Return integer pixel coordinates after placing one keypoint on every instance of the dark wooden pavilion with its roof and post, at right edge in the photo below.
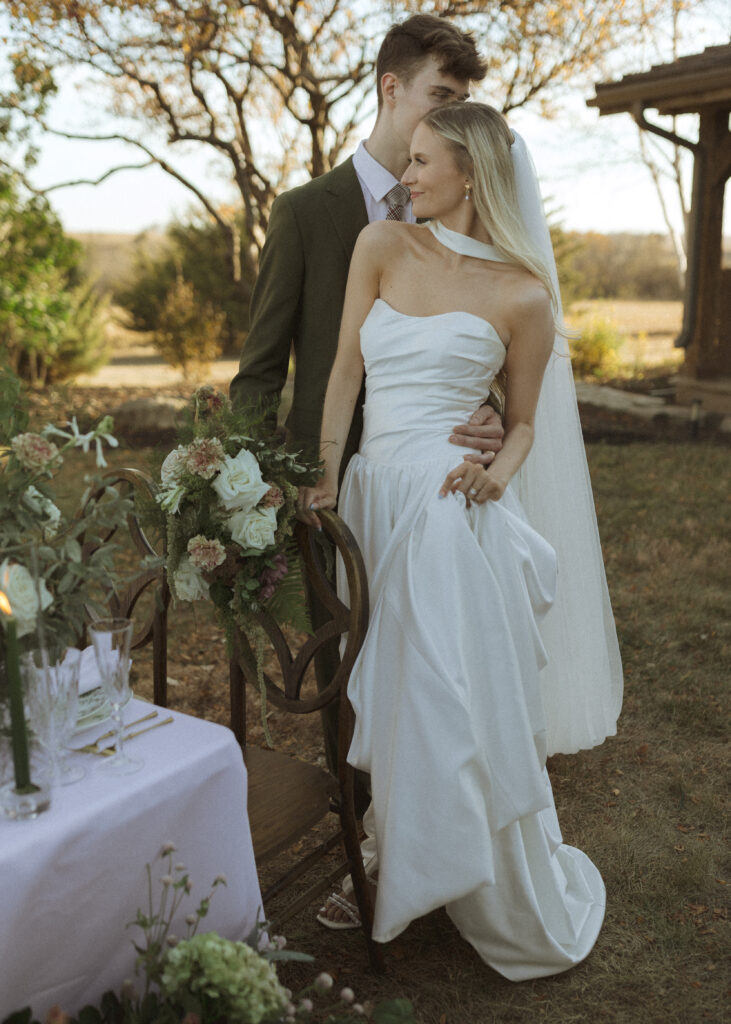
(698, 84)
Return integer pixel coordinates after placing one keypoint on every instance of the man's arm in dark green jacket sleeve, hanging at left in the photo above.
(274, 313)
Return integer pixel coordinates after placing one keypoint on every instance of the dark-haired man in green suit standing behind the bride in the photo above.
(298, 298)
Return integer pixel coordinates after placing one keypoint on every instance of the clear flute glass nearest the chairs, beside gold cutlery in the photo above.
(112, 638)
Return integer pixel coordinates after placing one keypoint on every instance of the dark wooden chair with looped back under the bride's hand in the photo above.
(287, 797)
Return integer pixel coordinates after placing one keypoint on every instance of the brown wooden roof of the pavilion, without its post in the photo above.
(681, 88)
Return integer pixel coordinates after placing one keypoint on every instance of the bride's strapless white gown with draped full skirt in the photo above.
(450, 721)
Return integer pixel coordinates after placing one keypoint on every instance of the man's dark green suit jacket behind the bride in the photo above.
(298, 303)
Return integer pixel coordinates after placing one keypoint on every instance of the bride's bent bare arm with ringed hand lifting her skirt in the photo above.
(532, 340)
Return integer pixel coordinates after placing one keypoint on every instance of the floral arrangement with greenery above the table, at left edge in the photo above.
(42, 572)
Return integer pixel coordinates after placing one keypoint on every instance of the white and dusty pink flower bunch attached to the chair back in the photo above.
(230, 500)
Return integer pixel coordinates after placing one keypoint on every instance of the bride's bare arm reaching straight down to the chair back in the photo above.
(347, 375)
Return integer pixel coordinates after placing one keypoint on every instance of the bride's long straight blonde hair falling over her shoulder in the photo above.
(481, 141)
